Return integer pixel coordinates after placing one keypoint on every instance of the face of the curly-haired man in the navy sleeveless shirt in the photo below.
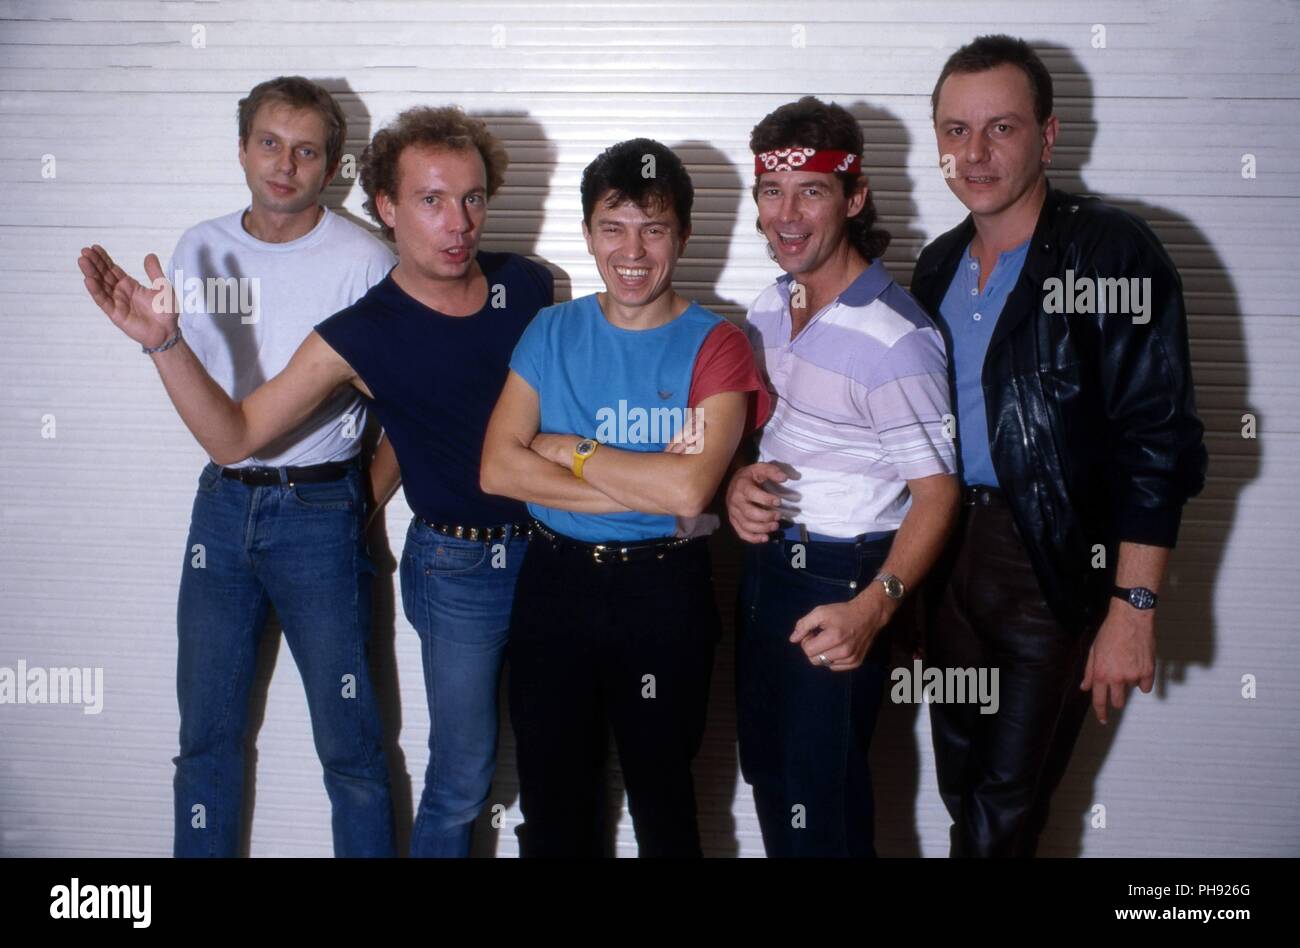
(439, 214)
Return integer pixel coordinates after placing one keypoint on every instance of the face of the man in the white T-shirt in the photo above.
(284, 159)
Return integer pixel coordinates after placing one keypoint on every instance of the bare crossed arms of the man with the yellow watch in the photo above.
(681, 481)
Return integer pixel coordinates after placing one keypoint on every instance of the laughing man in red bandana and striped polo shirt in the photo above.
(853, 494)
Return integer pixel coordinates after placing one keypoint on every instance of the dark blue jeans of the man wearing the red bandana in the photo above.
(805, 731)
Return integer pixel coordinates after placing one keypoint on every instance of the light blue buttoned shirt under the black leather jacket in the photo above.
(970, 317)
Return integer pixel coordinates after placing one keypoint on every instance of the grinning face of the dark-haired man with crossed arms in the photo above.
(636, 250)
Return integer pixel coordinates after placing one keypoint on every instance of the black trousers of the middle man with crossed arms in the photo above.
(623, 646)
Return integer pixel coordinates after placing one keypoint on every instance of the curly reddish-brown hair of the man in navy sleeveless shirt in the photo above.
(448, 128)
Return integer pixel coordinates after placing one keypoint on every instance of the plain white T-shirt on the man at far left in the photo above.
(248, 306)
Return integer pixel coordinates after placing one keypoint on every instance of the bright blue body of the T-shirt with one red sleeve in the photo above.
(621, 387)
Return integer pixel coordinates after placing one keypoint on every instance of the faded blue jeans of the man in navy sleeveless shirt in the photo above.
(458, 595)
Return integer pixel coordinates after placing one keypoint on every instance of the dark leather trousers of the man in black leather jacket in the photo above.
(998, 772)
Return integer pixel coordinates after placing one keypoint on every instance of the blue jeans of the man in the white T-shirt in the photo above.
(301, 549)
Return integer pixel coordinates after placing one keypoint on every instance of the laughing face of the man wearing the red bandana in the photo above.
(805, 217)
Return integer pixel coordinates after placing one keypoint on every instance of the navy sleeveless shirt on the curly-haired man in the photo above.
(436, 380)
